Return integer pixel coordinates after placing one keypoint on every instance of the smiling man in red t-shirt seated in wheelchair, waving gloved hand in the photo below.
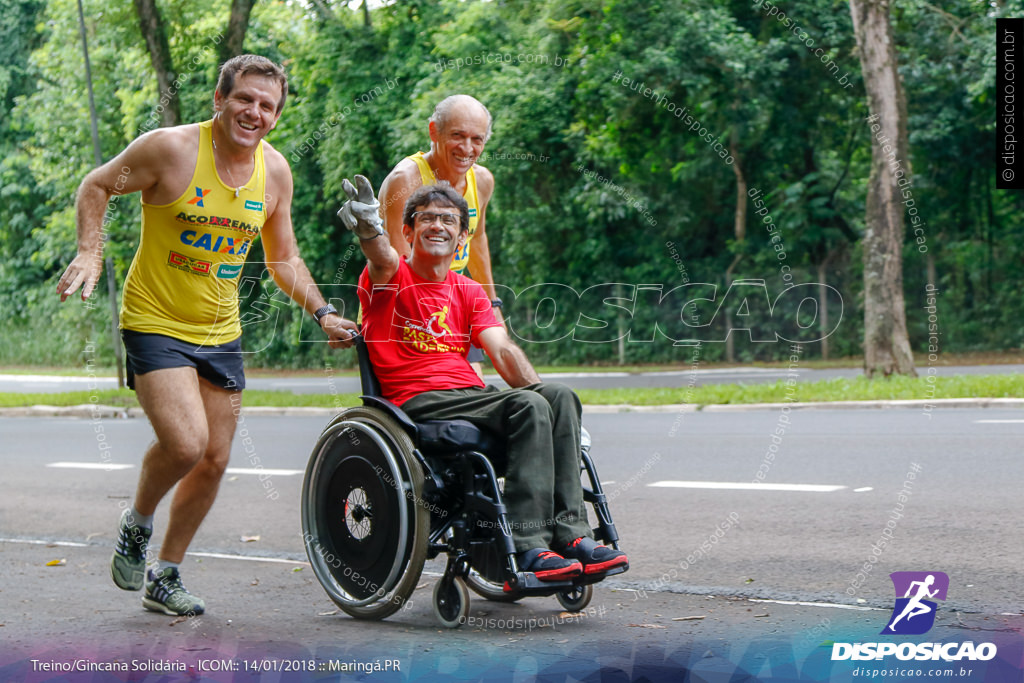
(419, 319)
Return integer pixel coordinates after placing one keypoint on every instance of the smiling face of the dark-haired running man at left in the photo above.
(249, 112)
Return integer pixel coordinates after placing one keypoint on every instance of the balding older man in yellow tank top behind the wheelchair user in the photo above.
(459, 129)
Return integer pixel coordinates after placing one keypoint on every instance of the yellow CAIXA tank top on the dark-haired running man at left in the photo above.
(184, 282)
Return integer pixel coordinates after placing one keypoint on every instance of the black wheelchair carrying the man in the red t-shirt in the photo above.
(382, 495)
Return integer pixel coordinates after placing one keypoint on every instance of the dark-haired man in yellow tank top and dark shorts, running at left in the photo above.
(209, 190)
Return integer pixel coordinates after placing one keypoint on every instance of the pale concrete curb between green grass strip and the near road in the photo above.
(100, 412)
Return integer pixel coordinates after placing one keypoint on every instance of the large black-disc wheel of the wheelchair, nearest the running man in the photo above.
(365, 533)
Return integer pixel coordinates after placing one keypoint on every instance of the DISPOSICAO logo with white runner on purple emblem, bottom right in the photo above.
(914, 615)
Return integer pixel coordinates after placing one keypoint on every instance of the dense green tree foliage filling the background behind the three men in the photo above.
(606, 189)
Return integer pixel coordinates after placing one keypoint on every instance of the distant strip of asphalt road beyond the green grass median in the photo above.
(330, 383)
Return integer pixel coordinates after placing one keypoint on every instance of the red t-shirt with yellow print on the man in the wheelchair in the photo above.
(418, 332)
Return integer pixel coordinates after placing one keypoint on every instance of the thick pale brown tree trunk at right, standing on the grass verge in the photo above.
(887, 347)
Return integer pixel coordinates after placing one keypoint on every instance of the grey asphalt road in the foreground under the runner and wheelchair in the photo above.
(705, 549)
